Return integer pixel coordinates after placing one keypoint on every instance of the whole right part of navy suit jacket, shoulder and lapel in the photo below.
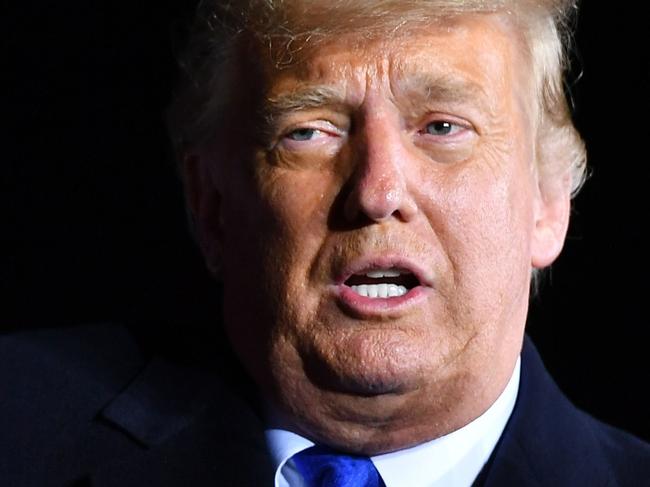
(550, 442)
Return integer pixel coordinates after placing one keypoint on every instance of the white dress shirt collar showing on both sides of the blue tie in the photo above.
(453, 460)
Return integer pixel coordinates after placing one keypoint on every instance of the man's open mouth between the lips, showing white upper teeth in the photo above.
(382, 283)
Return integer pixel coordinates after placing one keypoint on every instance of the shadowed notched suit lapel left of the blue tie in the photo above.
(188, 429)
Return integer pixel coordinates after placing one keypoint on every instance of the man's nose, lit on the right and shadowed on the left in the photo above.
(379, 186)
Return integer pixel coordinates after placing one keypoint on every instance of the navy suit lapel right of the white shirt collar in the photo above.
(547, 441)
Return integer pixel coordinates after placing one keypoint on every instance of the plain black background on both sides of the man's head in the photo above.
(93, 224)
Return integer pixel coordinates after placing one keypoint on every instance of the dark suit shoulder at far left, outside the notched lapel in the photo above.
(55, 382)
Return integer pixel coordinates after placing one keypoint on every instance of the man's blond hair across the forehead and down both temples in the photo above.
(284, 28)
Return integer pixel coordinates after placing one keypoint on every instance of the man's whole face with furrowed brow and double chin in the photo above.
(377, 246)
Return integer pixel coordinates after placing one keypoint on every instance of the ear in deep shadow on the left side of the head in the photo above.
(203, 201)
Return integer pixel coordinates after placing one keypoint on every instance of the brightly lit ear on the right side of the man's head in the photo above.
(551, 212)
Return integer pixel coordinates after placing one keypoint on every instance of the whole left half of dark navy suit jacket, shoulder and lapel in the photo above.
(87, 405)
